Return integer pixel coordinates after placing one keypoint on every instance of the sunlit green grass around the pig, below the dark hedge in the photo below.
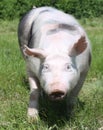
(14, 92)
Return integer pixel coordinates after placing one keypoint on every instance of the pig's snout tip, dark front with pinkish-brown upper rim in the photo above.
(57, 95)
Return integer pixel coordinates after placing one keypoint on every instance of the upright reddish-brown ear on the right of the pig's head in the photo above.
(78, 47)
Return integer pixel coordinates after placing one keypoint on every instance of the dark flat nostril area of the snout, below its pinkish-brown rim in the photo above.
(57, 95)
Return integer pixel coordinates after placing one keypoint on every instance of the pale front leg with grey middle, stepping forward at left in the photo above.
(33, 103)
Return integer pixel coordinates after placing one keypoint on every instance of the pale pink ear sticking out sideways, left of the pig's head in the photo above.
(39, 53)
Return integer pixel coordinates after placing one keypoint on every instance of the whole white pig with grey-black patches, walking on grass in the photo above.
(57, 52)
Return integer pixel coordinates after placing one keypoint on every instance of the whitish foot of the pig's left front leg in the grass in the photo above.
(33, 115)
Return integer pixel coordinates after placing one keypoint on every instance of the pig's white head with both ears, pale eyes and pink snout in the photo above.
(58, 72)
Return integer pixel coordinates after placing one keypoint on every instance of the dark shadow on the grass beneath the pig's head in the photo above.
(55, 113)
